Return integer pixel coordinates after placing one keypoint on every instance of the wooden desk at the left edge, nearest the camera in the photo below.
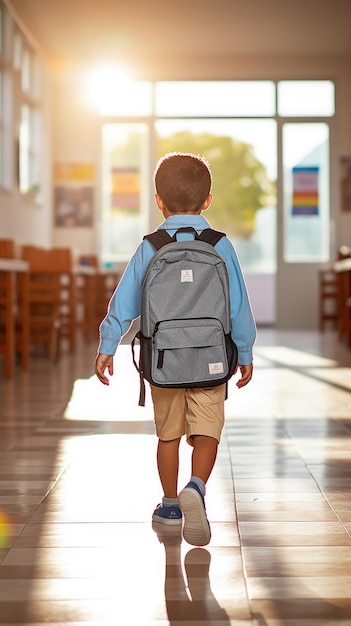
(14, 302)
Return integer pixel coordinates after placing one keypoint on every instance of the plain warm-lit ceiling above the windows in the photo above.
(79, 31)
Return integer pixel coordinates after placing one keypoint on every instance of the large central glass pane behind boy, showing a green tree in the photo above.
(243, 158)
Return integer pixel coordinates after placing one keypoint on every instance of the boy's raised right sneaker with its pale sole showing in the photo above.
(196, 530)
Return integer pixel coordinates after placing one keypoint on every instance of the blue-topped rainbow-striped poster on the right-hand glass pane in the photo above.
(305, 197)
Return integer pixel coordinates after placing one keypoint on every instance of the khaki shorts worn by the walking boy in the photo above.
(188, 412)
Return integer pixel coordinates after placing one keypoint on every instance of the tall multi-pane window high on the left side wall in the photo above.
(20, 121)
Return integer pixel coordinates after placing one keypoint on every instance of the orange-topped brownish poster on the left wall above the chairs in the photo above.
(74, 194)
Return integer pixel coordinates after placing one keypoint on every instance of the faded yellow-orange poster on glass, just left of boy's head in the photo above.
(125, 192)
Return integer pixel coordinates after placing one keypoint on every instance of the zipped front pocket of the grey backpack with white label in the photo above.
(189, 353)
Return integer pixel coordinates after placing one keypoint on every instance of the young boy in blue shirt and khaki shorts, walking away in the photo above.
(183, 192)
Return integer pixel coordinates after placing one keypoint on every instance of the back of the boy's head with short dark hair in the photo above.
(183, 182)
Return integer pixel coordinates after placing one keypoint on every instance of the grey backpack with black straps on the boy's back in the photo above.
(185, 322)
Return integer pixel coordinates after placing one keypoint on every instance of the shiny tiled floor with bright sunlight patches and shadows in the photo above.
(78, 484)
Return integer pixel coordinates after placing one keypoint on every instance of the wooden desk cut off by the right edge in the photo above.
(343, 272)
